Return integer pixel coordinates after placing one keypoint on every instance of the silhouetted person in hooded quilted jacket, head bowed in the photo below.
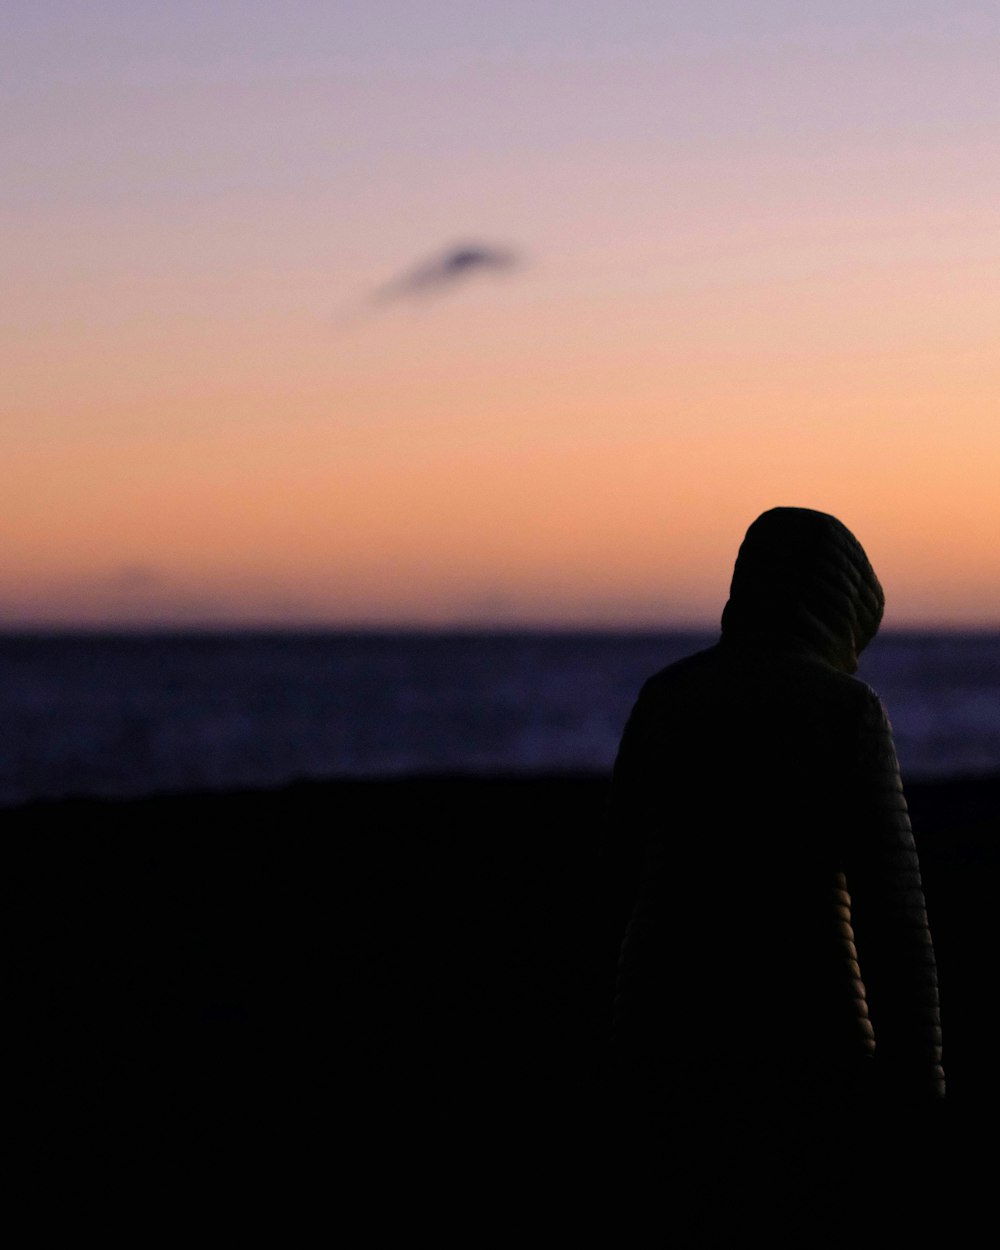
(776, 983)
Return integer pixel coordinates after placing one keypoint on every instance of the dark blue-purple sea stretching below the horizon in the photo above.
(123, 716)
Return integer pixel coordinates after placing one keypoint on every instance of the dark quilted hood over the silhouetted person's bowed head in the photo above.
(804, 583)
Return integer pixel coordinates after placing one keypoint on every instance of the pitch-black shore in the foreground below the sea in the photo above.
(388, 992)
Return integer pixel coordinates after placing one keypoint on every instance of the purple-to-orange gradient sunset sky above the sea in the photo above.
(459, 313)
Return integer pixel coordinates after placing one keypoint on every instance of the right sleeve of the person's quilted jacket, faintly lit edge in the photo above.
(891, 922)
